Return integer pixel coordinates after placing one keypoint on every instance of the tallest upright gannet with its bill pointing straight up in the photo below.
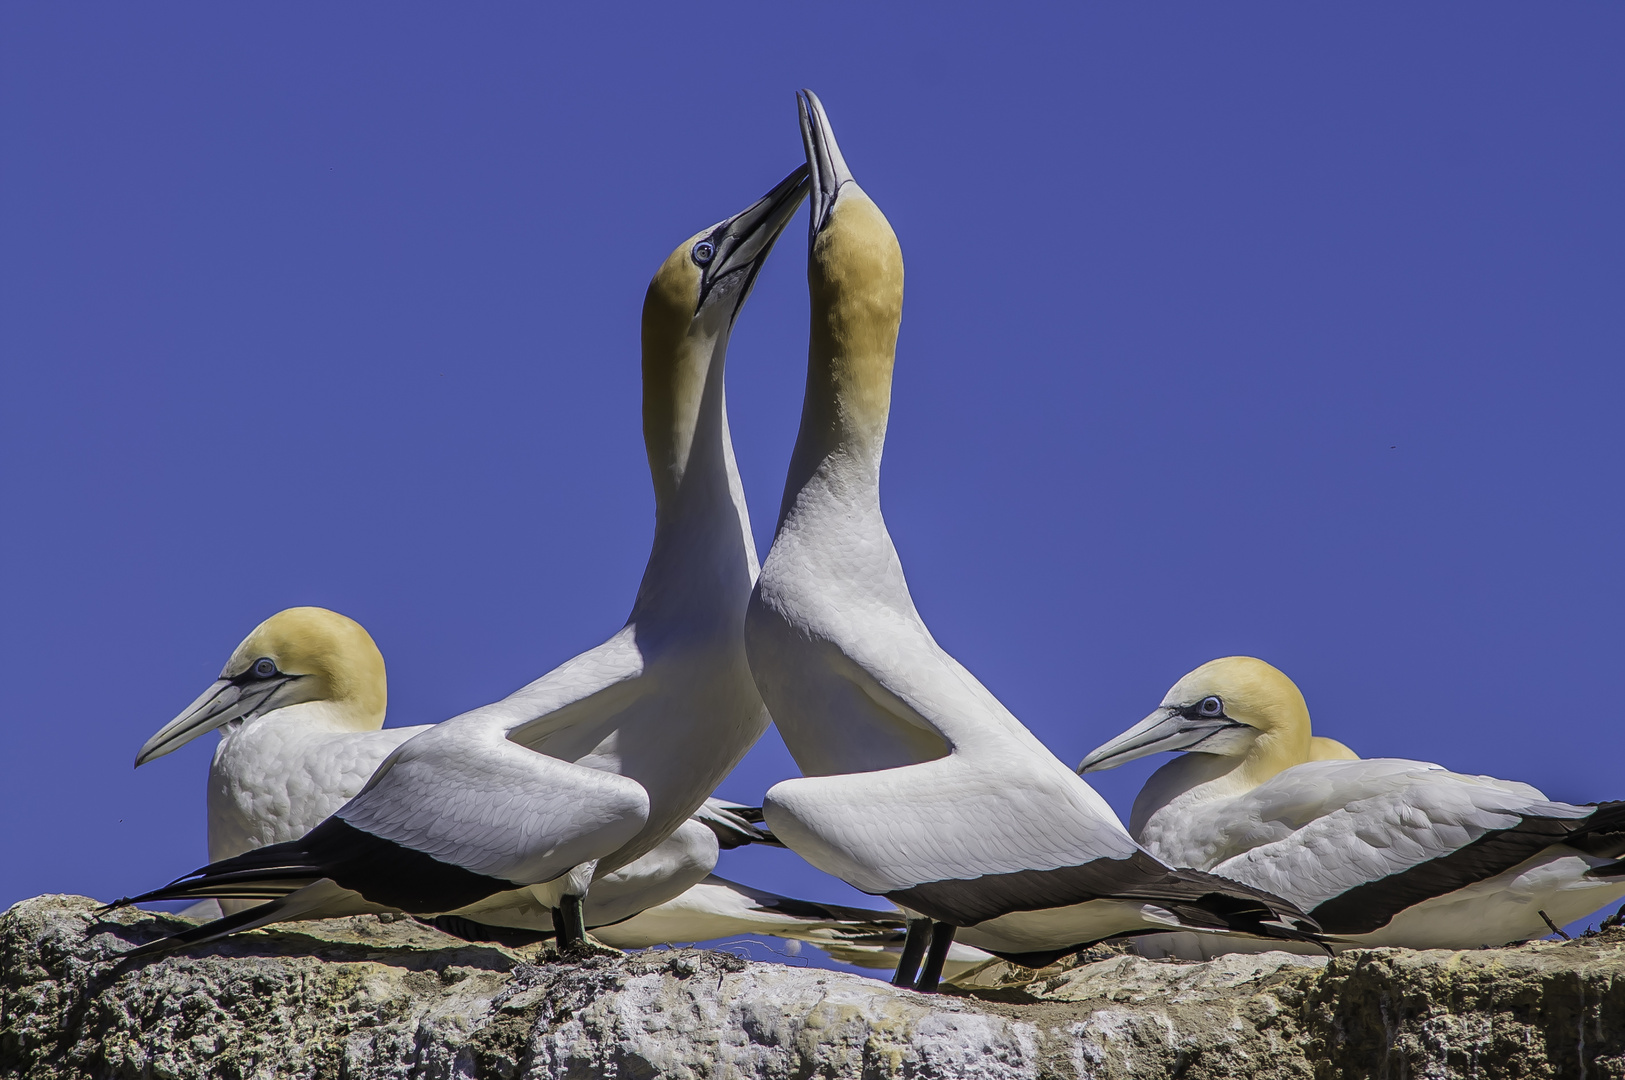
(919, 784)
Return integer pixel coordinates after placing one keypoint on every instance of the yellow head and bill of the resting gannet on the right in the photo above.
(1234, 707)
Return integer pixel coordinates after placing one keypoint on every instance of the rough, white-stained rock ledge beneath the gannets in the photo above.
(365, 998)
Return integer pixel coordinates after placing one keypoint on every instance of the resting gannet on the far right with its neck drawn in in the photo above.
(1380, 852)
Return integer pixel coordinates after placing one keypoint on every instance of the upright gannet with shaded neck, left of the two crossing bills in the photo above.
(597, 762)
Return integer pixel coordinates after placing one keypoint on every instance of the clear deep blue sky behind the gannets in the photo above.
(1285, 330)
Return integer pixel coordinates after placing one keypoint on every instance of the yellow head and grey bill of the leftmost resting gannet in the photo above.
(295, 657)
